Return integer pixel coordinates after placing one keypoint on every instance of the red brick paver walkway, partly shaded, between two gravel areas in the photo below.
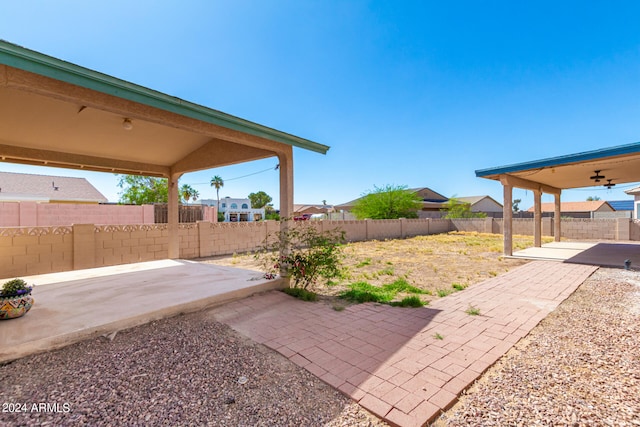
(391, 360)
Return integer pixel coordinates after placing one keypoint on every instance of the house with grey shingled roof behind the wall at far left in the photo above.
(23, 187)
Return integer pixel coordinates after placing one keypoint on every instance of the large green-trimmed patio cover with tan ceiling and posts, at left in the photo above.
(54, 113)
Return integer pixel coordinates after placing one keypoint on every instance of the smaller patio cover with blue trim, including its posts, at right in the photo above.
(608, 166)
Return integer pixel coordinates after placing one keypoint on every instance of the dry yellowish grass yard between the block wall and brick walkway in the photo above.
(433, 263)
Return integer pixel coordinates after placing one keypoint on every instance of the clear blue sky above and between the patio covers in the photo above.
(416, 93)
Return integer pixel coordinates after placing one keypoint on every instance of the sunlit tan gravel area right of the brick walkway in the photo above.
(579, 367)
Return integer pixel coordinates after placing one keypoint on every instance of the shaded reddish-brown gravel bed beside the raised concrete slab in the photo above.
(186, 371)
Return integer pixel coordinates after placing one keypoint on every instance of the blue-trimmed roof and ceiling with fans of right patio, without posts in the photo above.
(619, 164)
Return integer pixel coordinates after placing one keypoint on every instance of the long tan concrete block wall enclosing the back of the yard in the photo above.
(38, 250)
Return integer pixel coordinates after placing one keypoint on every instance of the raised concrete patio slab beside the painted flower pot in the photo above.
(76, 305)
